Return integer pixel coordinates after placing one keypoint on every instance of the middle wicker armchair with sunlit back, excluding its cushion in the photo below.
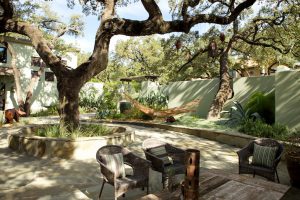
(177, 155)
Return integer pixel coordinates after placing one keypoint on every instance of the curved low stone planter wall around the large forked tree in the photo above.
(82, 148)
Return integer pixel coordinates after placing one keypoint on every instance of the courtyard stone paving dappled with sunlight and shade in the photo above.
(25, 177)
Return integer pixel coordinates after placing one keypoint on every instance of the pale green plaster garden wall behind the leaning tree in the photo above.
(286, 86)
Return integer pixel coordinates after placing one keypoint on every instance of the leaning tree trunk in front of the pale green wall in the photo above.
(224, 91)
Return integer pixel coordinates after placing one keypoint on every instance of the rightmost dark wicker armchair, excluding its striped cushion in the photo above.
(245, 167)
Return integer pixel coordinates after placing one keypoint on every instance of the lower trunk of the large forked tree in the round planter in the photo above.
(68, 94)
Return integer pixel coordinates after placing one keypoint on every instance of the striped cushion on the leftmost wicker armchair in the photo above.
(115, 163)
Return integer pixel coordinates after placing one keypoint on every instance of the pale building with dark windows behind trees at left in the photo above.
(27, 62)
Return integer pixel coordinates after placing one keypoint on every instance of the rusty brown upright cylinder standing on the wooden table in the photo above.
(191, 182)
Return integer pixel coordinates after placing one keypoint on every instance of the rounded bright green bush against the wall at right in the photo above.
(263, 104)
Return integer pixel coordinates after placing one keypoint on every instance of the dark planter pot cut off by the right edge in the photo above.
(293, 158)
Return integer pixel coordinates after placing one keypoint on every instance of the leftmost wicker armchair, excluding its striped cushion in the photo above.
(140, 177)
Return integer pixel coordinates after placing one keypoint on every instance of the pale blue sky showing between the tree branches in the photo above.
(133, 11)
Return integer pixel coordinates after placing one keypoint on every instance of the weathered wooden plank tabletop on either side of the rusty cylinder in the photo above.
(221, 185)
